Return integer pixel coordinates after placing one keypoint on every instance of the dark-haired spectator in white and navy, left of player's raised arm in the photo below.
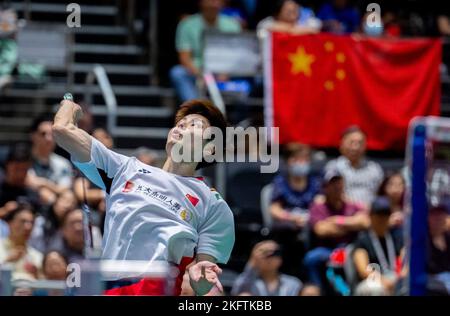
(50, 174)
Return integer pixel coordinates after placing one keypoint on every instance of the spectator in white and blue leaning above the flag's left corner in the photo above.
(287, 18)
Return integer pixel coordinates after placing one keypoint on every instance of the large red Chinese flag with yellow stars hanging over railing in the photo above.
(317, 85)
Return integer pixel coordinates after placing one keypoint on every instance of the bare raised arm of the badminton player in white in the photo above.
(67, 135)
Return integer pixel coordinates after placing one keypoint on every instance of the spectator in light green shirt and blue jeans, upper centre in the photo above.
(189, 45)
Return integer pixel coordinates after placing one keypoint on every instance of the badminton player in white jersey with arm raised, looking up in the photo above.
(157, 214)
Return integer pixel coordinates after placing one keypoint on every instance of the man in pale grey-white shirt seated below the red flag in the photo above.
(362, 177)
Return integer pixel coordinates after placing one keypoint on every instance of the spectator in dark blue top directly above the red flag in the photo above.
(338, 16)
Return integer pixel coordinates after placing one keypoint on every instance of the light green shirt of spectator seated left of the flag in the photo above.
(190, 30)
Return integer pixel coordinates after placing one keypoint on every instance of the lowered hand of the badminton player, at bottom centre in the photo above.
(203, 276)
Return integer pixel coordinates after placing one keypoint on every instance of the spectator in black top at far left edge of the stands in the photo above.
(15, 187)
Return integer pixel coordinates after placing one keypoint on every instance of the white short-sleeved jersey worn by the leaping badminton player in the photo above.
(154, 215)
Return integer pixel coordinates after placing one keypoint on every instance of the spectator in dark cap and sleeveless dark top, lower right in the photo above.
(379, 249)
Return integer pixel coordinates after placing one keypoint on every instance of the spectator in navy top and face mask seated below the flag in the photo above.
(293, 192)
